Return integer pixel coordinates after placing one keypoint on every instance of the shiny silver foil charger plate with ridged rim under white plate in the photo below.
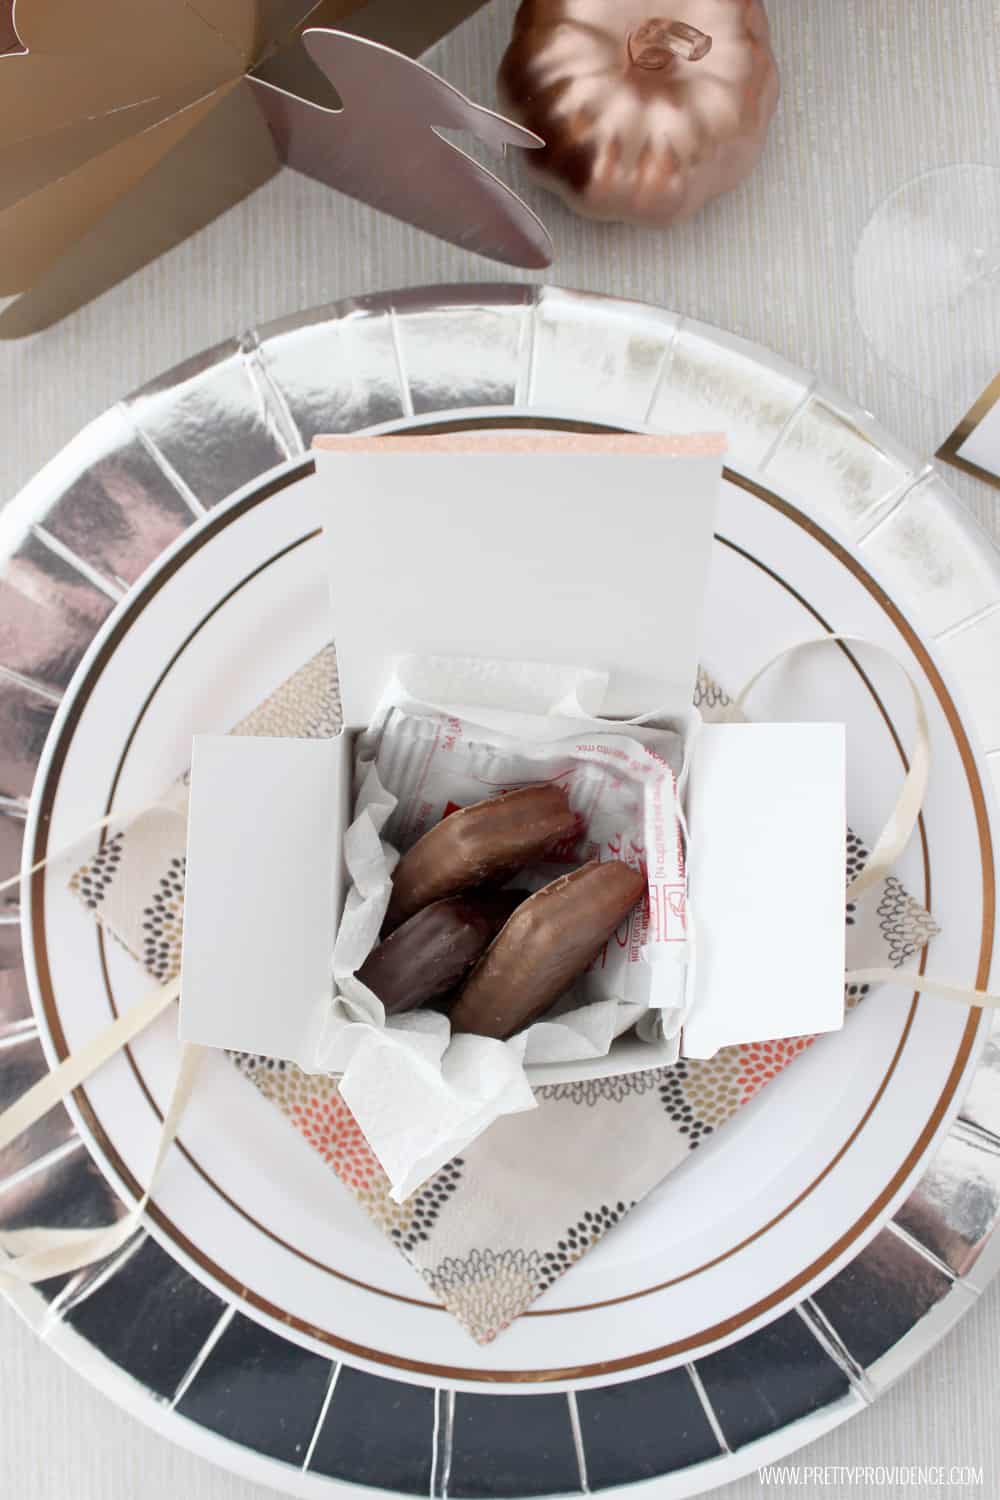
(191, 1355)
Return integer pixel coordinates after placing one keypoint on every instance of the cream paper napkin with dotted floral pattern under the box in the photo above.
(487, 1237)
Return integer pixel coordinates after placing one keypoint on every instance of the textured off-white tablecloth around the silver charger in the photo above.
(875, 92)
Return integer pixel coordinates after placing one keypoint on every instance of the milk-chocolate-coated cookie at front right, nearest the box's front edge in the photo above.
(545, 947)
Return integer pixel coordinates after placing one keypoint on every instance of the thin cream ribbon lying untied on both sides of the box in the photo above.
(49, 1253)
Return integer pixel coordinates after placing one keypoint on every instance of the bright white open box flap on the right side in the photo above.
(767, 874)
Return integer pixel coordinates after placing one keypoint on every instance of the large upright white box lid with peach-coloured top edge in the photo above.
(564, 548)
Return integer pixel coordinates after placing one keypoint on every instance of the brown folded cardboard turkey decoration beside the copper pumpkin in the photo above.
(94, 97)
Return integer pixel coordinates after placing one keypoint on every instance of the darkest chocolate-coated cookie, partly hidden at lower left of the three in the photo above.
(433, 952)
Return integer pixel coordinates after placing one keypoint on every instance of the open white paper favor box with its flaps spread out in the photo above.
(587, 553)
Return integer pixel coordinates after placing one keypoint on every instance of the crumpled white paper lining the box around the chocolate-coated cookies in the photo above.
(451, 733)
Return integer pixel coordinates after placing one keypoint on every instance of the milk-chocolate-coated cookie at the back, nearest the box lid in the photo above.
(484, 844)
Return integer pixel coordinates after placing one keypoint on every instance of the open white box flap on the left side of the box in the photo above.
(265, 890)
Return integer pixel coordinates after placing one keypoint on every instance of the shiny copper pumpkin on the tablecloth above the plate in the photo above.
(645, 116)
